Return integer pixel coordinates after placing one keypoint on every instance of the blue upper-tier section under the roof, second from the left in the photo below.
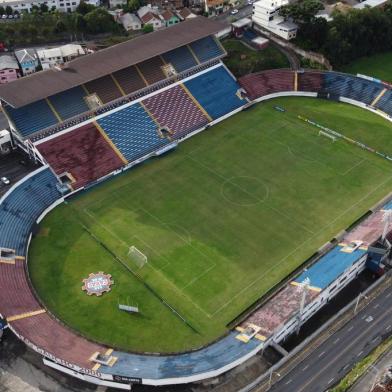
(69, 103)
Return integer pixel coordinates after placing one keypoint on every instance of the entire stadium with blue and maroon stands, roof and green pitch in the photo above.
(211, 216)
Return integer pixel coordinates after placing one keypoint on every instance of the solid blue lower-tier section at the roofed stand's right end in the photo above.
(216, 92)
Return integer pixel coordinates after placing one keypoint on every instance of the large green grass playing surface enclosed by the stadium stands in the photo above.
(222, 220)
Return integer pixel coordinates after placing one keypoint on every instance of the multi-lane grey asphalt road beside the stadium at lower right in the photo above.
(337, 355)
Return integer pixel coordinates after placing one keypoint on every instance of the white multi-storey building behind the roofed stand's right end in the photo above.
(266, 15)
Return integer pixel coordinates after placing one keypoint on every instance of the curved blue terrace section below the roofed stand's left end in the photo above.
(23, 206)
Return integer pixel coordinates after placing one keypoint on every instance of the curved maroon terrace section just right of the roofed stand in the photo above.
(267, 82)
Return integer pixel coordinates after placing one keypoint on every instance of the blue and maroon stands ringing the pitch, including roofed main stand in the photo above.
(141, 109)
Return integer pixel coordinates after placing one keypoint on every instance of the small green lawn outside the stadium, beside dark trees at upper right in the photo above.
(378, 66)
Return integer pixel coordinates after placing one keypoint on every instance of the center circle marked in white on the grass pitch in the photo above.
(244, 190)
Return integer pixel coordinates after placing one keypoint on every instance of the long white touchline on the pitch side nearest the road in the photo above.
(301, 245)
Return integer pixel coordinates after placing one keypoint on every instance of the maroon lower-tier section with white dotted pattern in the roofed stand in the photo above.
(175, 110)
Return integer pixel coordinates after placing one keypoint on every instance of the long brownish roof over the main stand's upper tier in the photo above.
(83, 69)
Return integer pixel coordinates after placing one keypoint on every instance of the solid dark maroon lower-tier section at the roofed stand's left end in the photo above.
(83, 152)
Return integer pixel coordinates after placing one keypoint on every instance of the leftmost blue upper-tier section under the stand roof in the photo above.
(32, 118)
